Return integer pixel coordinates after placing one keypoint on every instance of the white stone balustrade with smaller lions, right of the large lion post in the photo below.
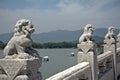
(105, 66)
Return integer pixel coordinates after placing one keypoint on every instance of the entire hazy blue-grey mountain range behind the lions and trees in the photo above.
(61, 35)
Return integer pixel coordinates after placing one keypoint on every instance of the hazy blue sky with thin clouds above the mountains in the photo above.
(50, 15)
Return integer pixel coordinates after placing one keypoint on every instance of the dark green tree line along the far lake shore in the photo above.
(52, 45)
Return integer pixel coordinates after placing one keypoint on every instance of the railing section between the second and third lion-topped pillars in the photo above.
(105, 64)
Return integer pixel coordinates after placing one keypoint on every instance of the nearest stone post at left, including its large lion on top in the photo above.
(21, 62)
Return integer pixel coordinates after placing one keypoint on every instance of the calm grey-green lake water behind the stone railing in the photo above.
(59, 60)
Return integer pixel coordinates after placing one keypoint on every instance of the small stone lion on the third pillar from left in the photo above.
(110, 35)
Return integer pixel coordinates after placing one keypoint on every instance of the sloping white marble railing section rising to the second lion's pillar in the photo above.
(73, 72)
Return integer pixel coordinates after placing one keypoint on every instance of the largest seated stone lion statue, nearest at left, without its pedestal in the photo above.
(20, 44)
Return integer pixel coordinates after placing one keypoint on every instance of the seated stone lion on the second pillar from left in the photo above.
(87, 34)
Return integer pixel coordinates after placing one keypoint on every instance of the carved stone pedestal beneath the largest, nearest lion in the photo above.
(20, 69)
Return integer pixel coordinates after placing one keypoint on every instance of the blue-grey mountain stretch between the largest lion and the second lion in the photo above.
(57, 36)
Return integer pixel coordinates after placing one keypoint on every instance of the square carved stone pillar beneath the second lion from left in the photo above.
(87, 53)
